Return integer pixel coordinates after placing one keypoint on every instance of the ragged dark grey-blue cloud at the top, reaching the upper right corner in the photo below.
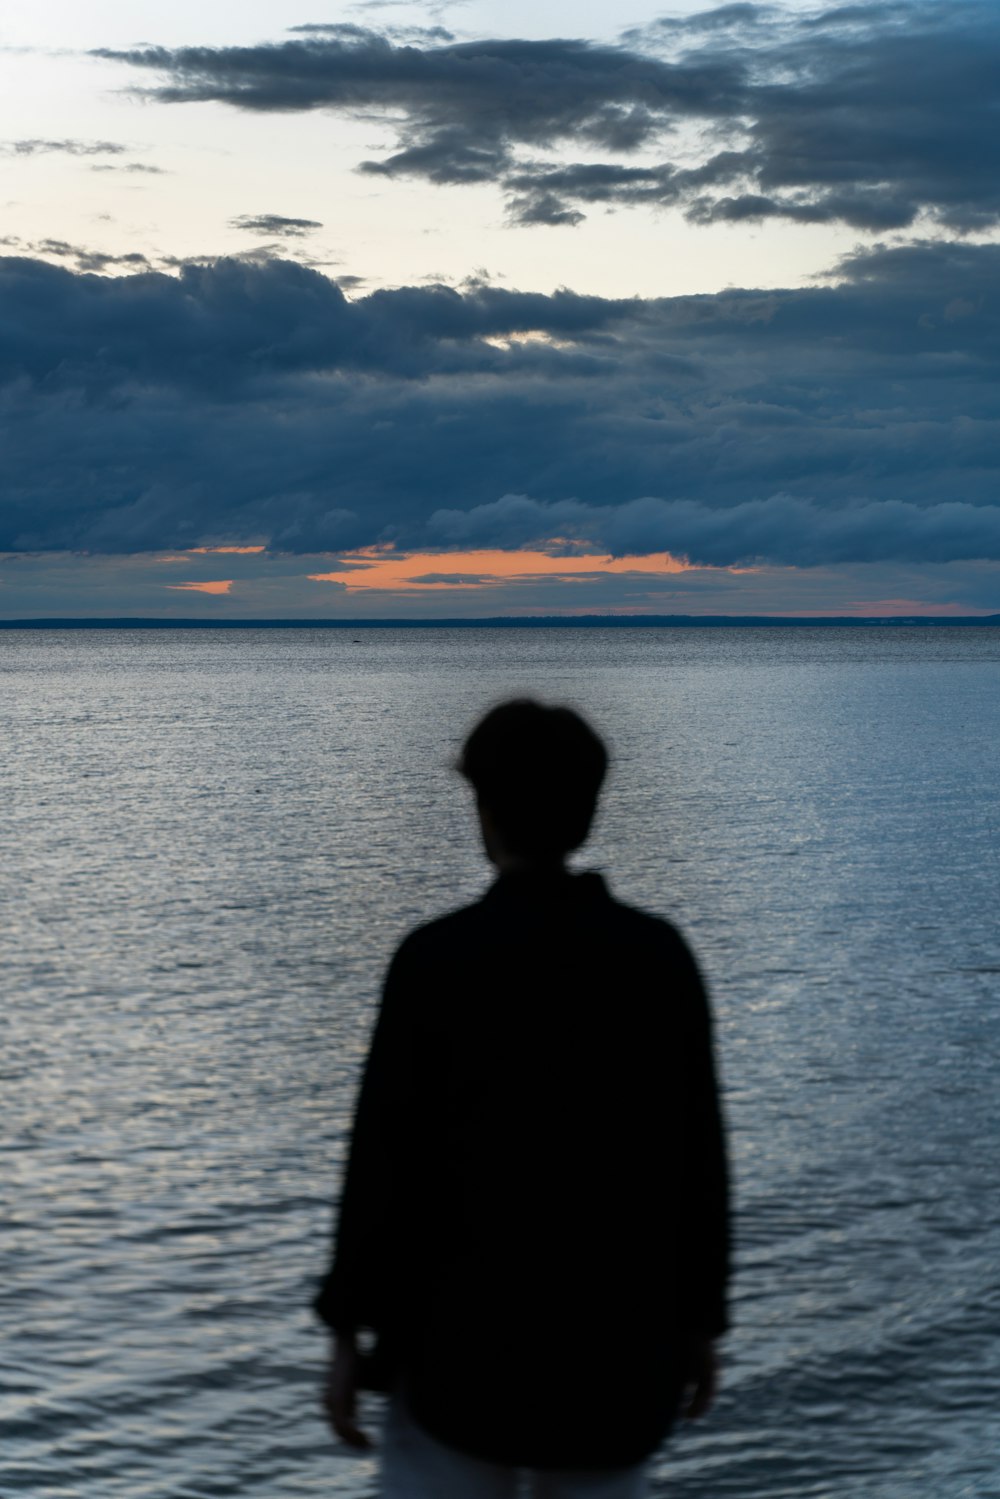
(864, 115)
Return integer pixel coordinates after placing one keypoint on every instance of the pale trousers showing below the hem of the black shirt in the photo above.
(418, 1467)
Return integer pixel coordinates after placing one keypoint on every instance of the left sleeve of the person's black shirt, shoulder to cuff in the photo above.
(359, 1285)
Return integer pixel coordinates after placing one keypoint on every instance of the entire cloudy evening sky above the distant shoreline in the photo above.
(473, 310)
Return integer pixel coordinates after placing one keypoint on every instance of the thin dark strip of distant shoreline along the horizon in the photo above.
(525, 623)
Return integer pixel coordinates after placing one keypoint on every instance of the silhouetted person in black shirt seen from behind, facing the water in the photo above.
(534, 1219)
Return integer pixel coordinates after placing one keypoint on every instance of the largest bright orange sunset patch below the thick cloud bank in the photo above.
(419, 572)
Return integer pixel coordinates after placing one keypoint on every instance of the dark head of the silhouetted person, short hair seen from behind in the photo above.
(537, 771)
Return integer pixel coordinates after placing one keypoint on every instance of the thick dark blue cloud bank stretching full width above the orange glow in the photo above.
(247, 402)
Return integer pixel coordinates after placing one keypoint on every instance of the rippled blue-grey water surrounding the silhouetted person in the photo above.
(211, 843)
